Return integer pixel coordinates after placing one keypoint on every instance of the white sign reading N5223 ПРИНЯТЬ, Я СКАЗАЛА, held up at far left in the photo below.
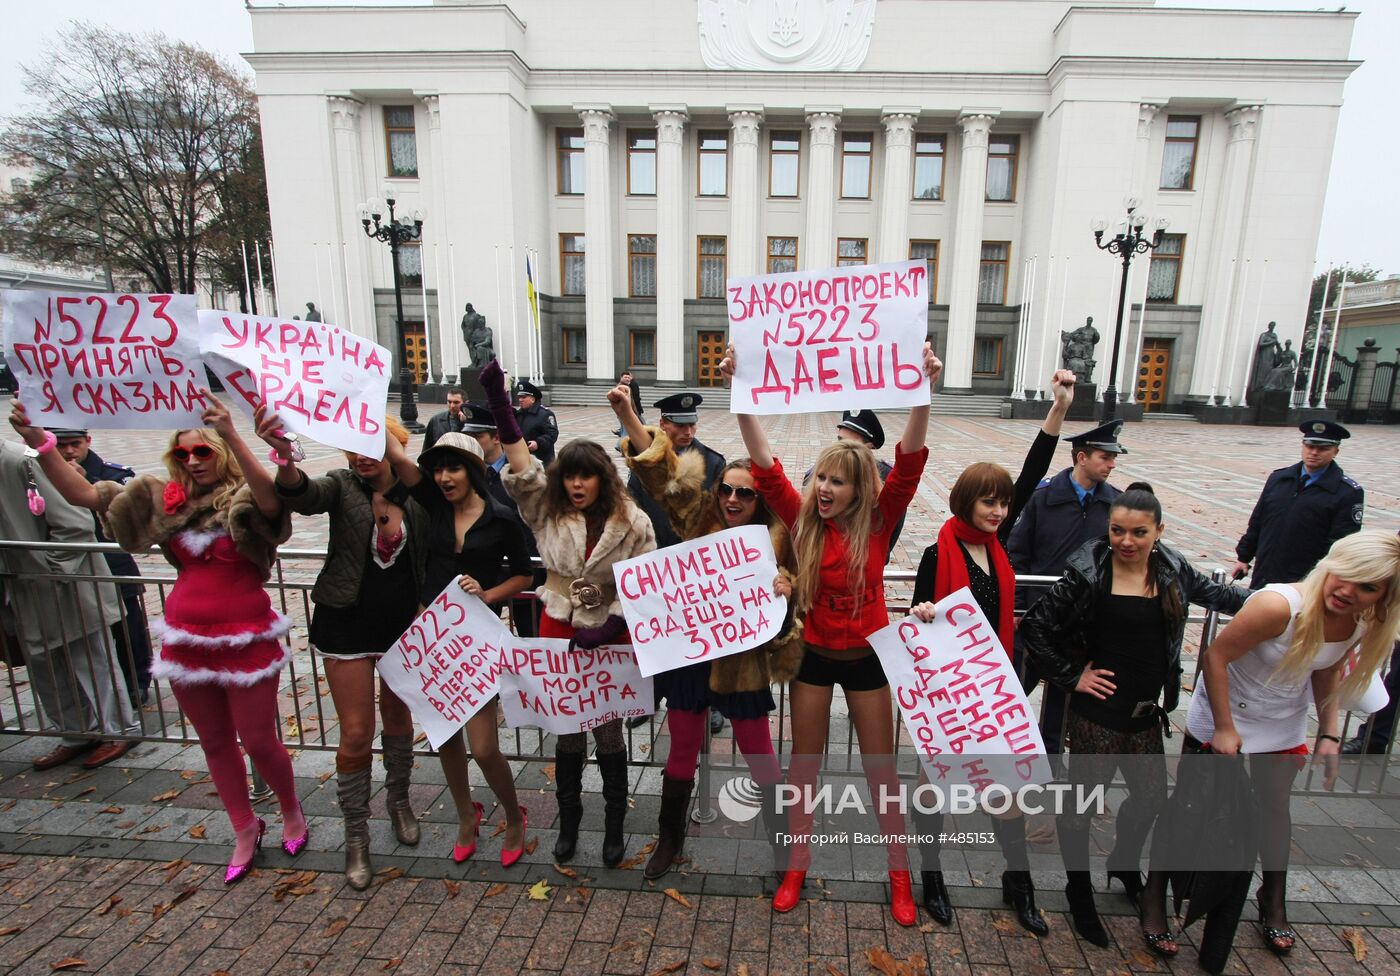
(106, 361)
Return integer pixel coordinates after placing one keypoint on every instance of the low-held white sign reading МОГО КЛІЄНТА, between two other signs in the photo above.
(572, 691)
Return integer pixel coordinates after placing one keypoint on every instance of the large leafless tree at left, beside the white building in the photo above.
(138, 158)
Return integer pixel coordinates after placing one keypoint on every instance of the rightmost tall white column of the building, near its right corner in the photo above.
(1209, 379)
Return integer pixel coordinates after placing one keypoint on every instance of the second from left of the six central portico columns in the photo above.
(671, 253)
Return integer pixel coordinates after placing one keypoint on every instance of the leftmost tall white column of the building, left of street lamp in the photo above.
(355, 293)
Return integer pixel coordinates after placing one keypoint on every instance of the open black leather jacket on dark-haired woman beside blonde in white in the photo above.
(1058, 628)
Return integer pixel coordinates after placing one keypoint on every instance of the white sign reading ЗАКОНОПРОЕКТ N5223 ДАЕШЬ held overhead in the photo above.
(842, 340)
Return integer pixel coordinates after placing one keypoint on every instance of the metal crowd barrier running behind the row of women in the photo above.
(309, 716)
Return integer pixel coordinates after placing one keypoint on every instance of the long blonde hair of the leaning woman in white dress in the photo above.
(1359, 558)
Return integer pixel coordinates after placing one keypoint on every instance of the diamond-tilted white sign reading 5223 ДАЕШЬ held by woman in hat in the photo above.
(449, 663)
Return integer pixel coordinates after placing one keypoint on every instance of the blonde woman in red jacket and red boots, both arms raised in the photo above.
(841, 533)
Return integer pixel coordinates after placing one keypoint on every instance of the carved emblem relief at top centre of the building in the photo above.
(786, 36)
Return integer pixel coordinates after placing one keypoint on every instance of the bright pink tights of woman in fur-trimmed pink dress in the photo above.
(223, 716)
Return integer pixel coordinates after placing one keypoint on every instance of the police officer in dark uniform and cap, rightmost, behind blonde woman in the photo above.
(1303, 510)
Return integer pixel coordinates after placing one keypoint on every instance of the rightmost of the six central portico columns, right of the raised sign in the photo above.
(967, 253)
